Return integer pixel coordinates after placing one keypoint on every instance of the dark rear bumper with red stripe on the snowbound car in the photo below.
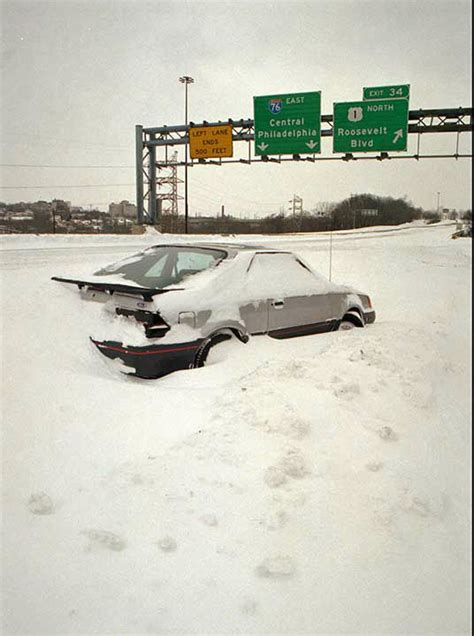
(153, 361)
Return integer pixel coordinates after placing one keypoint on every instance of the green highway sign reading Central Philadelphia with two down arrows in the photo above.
(287, 124)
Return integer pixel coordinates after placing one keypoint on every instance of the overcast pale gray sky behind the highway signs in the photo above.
(77, 76)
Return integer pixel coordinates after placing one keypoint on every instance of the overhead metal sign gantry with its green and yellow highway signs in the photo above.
(290, 127)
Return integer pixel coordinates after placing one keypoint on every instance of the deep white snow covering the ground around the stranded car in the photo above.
(314, 485)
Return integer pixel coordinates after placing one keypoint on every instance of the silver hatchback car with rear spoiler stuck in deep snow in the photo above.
(169, 305)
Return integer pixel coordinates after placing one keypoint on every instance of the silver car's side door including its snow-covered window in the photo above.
(297, 300)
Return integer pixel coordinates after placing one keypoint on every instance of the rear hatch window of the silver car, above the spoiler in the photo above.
(160, 267)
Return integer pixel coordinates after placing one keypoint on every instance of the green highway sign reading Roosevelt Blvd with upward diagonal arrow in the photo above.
(367, 126)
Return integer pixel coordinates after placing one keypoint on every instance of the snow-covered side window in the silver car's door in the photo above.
(282, 274)
